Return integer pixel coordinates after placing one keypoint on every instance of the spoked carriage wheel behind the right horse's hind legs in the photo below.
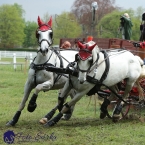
(111, 107)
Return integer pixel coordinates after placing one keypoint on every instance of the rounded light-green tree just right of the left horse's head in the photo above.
(66, 26)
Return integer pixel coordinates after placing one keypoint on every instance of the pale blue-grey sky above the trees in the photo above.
(33, 8)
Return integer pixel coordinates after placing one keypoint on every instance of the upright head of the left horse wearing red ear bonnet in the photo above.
(44, 35)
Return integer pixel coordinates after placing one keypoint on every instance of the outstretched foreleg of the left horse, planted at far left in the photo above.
(27, 89)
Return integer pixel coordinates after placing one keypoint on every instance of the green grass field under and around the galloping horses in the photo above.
(84, 128)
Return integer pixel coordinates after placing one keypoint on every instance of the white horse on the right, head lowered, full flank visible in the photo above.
(97, 68)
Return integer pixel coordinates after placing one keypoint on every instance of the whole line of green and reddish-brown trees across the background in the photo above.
(16, 32)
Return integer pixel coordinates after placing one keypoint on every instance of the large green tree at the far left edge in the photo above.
(11, 26)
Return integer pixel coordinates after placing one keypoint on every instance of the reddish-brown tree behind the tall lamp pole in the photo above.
(82, 9)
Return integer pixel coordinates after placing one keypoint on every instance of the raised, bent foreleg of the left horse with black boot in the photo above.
(40, 87)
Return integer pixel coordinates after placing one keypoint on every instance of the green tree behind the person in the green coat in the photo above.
(108, 26)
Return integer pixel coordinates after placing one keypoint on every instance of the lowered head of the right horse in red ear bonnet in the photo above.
(84, 60)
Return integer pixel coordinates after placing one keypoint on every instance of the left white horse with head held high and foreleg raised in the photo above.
(38, 77)
